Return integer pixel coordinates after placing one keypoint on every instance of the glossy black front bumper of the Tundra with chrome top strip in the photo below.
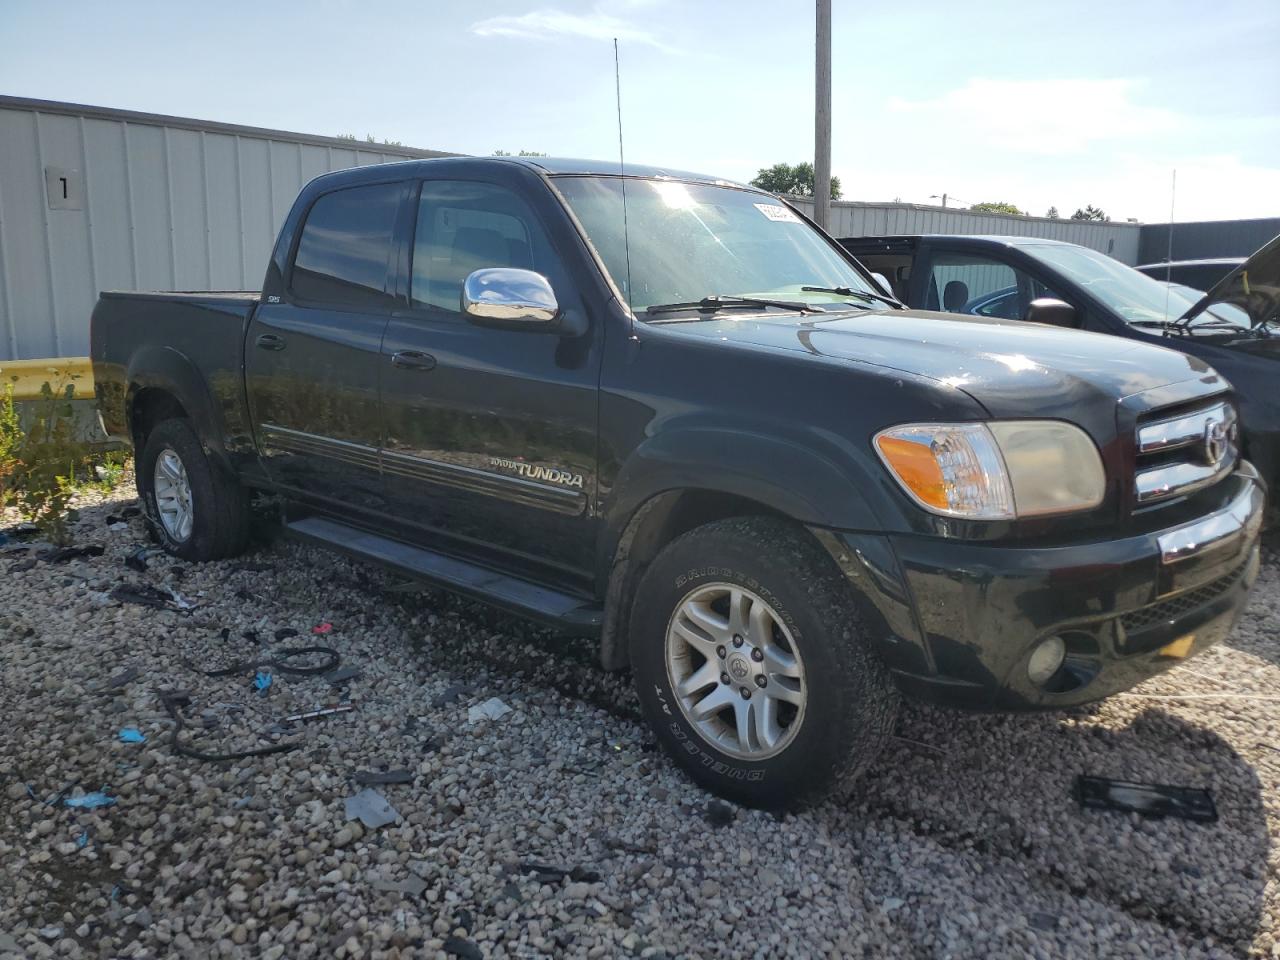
(957, 623)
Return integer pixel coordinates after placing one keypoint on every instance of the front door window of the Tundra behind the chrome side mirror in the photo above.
(465, 227)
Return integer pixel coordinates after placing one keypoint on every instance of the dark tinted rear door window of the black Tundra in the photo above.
(345, 250)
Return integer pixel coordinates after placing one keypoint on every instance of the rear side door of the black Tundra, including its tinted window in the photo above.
(314, 360)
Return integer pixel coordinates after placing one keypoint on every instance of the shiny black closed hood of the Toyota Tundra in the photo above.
(1011, 368)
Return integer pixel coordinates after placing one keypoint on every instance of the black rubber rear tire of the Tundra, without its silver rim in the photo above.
(221, 515)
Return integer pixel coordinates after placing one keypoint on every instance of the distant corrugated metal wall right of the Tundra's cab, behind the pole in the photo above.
(857, 220)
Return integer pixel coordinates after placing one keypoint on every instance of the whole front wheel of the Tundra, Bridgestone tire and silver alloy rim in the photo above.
(752, 665)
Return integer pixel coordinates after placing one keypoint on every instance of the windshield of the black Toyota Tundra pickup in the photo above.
(691, 241)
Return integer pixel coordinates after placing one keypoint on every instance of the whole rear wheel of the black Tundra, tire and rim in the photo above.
(196, 510)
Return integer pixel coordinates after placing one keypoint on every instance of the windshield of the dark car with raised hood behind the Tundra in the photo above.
(1136, 298)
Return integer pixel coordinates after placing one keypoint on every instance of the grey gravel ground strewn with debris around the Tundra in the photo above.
(559, 829)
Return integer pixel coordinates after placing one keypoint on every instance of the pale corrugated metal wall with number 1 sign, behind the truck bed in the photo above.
(95, 199)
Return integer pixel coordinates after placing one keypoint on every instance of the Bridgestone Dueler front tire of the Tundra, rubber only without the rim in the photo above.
(851, 703)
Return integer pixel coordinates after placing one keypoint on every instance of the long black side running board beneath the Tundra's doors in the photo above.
(451, 574)
